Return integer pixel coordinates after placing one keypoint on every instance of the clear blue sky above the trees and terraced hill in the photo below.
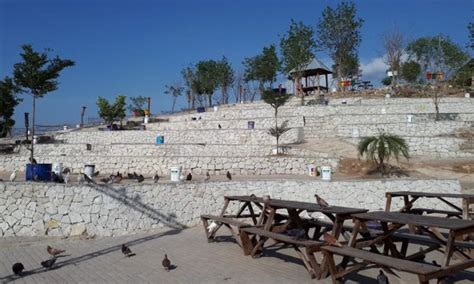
(137, 47)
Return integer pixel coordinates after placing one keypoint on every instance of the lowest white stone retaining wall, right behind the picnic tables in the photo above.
(38, 209)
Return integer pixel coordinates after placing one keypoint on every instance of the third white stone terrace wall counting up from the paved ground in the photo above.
(210, 136)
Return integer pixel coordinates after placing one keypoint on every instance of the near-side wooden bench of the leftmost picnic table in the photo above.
(253, 247)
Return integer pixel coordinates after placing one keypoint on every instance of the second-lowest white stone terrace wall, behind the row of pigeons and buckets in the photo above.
(244, 165)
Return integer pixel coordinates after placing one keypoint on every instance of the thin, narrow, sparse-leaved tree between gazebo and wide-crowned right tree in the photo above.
(393, 43)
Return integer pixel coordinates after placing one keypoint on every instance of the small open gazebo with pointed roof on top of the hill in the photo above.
(311, 77)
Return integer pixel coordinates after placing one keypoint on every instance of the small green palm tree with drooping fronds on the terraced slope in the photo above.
(381, 148)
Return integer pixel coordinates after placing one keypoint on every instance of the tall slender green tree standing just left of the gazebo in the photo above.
(297, 47)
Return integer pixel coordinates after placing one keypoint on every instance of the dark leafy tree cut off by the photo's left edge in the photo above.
(8, 102)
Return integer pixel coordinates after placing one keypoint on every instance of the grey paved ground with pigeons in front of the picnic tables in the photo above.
(100, 261)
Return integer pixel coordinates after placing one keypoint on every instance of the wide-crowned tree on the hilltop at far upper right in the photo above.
(438, 55)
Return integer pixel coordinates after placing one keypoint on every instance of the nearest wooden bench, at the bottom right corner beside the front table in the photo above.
(424, 271)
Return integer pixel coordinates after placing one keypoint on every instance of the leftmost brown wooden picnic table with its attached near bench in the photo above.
(268, 227)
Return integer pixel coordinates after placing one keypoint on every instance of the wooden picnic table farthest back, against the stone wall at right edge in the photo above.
(410, 197)
